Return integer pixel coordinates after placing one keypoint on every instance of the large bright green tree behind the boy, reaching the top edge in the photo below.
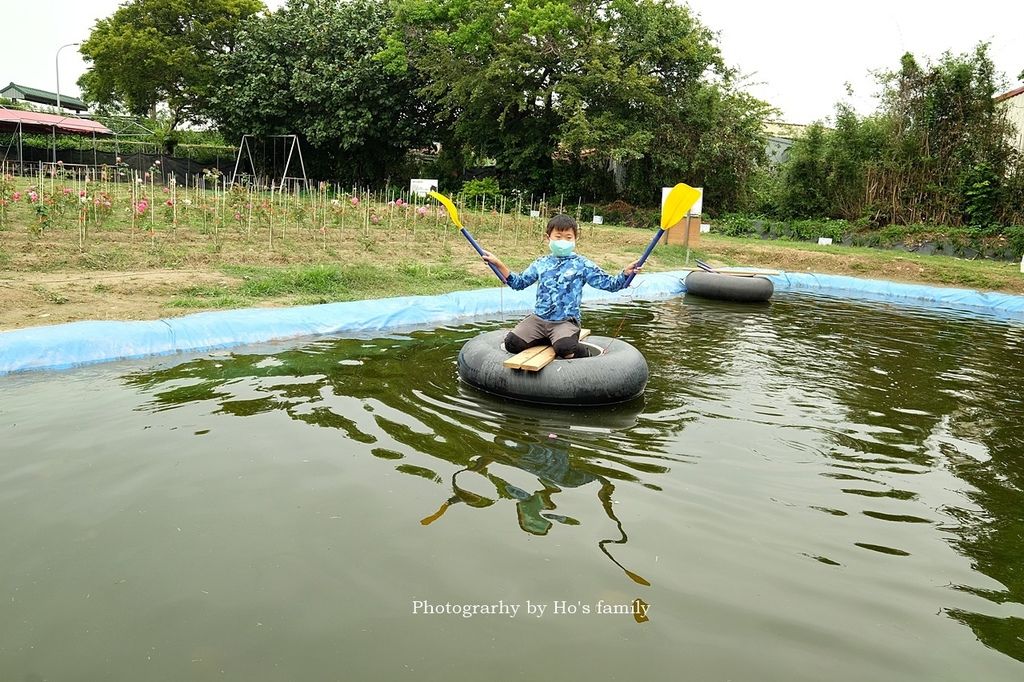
(635, 87)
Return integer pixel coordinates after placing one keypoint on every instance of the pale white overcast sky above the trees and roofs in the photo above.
(797, 55)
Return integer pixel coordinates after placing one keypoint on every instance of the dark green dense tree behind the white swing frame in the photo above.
(314, 69)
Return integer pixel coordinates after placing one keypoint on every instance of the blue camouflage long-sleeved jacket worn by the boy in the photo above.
(561, 284)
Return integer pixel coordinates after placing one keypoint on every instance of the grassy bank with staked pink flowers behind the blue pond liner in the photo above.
(205, 249)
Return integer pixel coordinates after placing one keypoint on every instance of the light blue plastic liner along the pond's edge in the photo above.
(75, 345)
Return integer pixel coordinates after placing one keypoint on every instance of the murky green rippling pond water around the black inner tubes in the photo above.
(813, 490)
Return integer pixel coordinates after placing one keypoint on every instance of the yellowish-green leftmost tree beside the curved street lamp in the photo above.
(153, 53)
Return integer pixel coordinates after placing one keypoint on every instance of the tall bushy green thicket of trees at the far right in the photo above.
(940, 151)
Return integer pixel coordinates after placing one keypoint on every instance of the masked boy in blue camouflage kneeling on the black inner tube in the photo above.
(561, 277)
